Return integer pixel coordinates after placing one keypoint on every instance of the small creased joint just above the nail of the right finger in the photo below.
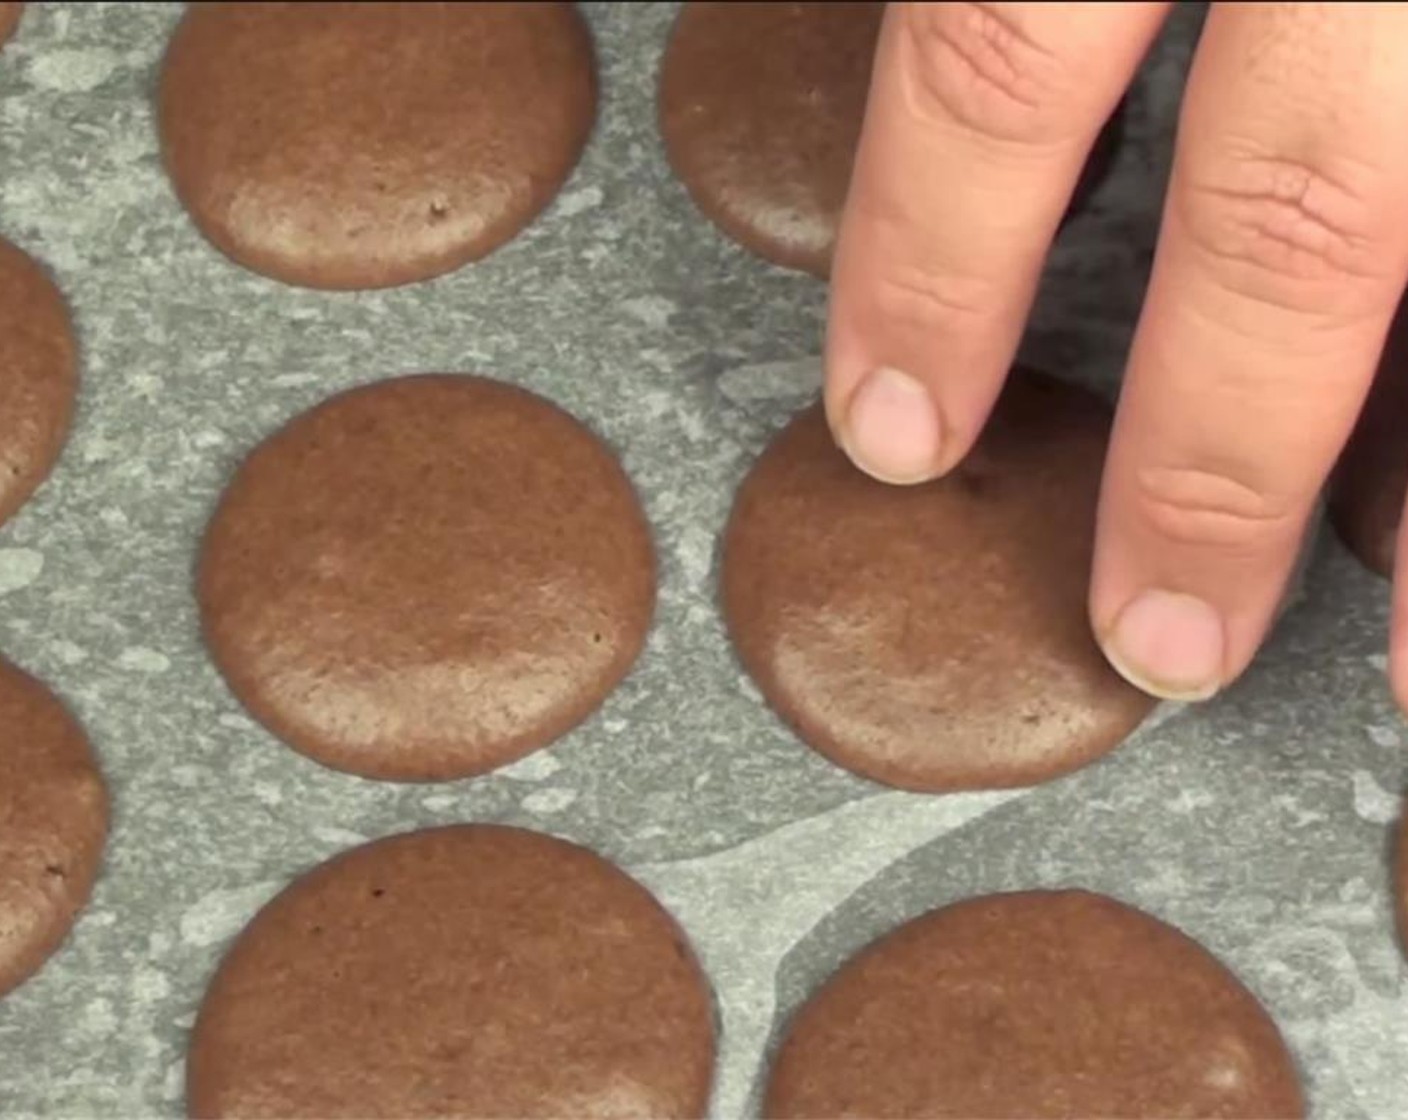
(1205, 508)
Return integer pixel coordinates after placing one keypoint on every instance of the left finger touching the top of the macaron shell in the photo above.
(979, 122)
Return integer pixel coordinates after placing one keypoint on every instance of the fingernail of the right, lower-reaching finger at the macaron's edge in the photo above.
(1169, 646)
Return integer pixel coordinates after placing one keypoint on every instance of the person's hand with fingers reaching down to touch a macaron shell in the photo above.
(1282, 260)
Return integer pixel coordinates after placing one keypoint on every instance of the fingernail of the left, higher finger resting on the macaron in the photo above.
(892, 429)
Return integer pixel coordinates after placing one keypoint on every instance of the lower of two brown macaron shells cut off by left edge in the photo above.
(53, 825)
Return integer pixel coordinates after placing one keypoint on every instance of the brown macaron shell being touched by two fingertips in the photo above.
(934, 637)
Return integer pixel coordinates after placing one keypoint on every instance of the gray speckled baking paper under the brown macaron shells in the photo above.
(1258, 823)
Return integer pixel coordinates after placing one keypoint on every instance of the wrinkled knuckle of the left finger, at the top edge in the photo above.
(975, 67)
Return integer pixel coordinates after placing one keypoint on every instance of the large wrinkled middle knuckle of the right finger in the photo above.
(1282, 233)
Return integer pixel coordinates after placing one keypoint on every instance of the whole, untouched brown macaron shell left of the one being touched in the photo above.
(427, 578)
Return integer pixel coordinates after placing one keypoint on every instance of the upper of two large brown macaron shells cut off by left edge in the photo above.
(39, 377)
